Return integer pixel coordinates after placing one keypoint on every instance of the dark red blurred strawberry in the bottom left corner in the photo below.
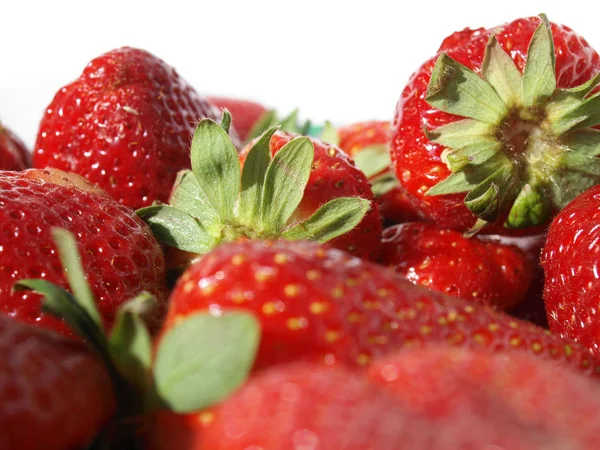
(53, 395)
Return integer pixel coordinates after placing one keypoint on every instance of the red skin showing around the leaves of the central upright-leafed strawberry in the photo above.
(334, 175)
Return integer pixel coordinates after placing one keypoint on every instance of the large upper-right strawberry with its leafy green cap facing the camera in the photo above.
(496, 128)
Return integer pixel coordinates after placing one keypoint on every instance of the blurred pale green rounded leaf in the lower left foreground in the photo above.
(204, 358)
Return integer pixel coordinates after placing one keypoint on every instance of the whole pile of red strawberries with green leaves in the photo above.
(191, 273)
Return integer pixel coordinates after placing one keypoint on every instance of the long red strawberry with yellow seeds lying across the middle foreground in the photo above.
(318, 303)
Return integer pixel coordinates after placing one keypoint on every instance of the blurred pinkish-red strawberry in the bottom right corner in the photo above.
(442, 382)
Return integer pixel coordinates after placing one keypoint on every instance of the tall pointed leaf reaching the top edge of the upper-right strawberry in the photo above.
(539, 76)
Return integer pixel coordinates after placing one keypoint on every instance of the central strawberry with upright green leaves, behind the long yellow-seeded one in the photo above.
(290, 187)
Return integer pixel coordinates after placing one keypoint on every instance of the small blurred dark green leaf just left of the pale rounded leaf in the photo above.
(130, 344)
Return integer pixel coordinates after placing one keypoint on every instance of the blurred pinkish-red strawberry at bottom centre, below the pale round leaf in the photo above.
(306, 406)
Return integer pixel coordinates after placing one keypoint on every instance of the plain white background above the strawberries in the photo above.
(344, 61)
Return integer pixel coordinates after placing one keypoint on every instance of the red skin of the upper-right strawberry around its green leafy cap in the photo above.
(418, 161)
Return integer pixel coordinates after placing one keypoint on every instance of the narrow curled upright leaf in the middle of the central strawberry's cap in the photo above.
(253, 178)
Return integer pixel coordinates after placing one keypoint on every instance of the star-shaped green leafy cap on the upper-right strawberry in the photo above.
(525, 148)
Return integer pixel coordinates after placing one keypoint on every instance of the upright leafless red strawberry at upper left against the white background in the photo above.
(124, 124)
